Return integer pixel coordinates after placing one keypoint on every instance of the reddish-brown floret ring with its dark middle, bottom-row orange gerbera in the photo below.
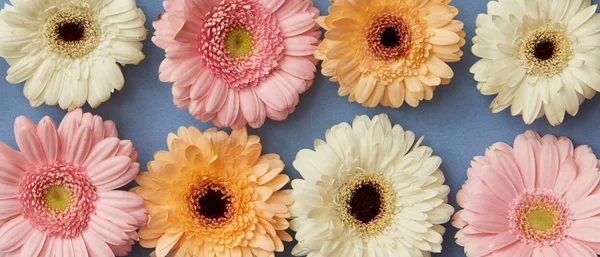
(211, 204)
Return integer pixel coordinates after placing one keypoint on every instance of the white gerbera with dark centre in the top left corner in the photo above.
(67, 50)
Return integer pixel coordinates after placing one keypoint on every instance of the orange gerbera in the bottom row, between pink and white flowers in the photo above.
(213, 194)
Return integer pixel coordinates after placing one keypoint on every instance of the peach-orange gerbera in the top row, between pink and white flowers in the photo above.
(390, 51)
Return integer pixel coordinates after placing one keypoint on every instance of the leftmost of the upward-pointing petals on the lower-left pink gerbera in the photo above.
(28, 142)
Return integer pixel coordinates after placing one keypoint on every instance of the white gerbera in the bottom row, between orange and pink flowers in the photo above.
(369, 190)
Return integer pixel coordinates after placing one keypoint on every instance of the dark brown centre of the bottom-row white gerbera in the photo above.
(365, 203)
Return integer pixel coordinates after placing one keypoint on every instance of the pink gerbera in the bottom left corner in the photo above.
(57, 195)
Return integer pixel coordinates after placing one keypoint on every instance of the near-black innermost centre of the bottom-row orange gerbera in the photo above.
(213, 204)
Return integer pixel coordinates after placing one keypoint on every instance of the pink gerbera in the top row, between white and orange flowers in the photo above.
(238, 61)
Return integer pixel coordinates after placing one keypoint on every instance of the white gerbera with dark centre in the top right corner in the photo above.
(540, 56)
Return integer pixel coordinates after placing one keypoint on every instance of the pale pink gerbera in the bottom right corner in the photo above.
(539, 198)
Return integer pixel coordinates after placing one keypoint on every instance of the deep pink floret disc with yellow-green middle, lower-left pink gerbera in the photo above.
(57, 199)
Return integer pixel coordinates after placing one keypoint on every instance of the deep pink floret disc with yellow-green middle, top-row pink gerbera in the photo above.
(241, 39)
